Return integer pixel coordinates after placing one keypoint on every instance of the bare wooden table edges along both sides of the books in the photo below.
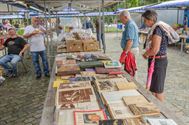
(48, 115)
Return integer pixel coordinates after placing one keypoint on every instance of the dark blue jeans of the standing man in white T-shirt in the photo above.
(35, 59)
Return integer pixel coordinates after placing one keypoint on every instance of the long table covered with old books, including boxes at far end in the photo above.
(88, 87)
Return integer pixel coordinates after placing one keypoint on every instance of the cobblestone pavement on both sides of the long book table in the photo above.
(21, 99)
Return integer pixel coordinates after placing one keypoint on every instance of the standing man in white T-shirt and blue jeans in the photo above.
(35, 34)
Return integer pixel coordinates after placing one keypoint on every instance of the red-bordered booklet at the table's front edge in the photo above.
(89, 117)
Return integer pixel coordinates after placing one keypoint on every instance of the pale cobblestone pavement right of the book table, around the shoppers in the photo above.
(177, 80)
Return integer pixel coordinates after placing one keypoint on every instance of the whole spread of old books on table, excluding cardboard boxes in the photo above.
(86, 81)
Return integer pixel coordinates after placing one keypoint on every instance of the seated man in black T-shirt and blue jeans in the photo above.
(16, 47)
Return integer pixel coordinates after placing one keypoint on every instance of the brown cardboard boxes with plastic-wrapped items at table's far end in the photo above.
(78, 41)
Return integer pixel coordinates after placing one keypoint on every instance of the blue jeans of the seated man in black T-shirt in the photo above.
(8, 62)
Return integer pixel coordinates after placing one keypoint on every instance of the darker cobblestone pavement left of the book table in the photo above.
(21, 99)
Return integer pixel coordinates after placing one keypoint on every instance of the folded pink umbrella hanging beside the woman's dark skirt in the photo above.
(150, 72)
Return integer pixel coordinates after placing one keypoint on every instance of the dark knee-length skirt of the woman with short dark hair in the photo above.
(158, 77)
